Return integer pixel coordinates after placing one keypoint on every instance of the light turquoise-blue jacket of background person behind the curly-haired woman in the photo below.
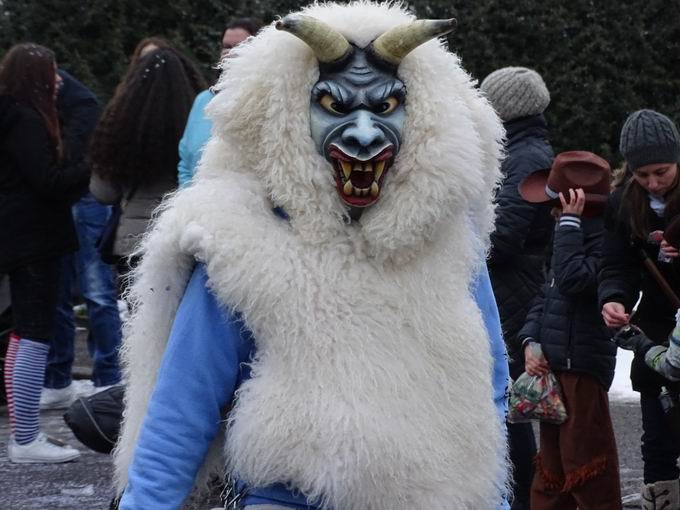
(196, 134)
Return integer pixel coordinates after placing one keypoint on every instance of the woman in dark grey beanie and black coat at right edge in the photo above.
(641, 208)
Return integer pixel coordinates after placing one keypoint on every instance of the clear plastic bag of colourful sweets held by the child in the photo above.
(536, 398)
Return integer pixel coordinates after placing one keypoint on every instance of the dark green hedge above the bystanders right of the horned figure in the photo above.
(601, 60)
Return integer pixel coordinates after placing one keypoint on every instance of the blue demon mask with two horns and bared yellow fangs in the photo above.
(357, 106)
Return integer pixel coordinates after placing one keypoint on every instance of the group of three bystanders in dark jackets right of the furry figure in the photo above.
(569, 289)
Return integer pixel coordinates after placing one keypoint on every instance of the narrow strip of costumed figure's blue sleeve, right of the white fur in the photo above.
(483, 294)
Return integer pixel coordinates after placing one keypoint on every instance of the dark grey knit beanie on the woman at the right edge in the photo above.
(649, 137)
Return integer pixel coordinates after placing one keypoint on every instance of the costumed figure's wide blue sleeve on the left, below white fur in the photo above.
(197, 379)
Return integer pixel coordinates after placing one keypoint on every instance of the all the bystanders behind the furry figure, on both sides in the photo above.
(569, 258)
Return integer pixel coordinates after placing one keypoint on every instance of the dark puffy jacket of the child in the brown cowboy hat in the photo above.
(565, 318)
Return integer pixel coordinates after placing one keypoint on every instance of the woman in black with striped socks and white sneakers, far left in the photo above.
(37, 187)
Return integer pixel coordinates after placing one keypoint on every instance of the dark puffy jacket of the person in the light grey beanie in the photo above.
(523, 230)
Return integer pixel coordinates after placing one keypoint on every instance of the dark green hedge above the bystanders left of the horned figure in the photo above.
(94, 39)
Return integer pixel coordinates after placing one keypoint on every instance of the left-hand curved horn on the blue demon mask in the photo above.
(328, 45)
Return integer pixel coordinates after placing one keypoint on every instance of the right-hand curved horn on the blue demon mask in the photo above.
(396, 43)
